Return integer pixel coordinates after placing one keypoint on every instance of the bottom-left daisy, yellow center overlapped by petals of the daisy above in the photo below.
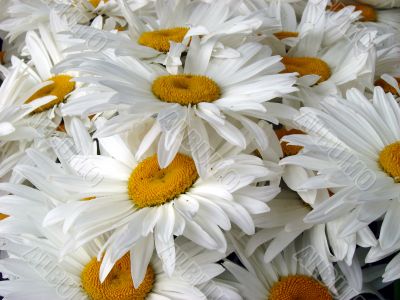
(35, 271)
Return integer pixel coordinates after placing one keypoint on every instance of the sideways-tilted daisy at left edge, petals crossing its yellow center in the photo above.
(25, 94)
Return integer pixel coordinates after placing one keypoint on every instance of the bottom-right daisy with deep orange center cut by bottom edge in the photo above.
(296, 273)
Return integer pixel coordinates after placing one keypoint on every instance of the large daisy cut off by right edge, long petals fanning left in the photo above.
(358, 160)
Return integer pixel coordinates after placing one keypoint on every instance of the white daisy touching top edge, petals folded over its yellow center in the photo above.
(163, 36)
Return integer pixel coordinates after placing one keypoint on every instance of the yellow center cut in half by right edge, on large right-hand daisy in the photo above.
(389, 159)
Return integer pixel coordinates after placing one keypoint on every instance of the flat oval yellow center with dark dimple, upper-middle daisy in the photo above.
(185, 89)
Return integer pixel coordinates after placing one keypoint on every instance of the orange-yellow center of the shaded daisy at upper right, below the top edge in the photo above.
(307, 66)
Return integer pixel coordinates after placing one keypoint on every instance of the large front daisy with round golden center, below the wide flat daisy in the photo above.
(143, 206)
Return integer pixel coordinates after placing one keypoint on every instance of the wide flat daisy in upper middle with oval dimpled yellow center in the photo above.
(214, 94)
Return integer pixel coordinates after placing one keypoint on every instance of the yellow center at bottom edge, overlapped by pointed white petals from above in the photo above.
(118, 285)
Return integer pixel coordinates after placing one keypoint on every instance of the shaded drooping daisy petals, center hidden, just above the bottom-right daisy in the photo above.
(285, 222)
